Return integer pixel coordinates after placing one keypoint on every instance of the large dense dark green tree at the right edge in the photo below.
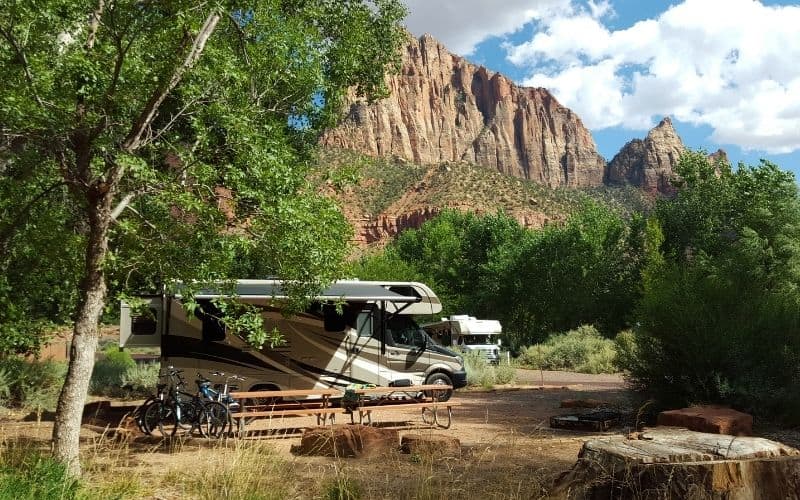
(719, 320)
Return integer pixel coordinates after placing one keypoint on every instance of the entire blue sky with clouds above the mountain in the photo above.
(726, 71)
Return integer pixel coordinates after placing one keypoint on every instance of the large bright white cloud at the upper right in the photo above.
(728, 64)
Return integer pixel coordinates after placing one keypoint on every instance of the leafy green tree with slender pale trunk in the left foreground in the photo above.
(176, 135)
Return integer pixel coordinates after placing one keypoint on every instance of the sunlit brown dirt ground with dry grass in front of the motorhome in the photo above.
(508, 448)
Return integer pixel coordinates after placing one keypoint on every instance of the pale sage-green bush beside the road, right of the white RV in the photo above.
(582, 350)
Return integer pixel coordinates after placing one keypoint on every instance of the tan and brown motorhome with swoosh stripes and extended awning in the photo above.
(353, 332)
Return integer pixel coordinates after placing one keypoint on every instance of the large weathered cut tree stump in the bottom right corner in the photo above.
(677, 463)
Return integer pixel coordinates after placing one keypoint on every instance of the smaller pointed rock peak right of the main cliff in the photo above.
(648, 163)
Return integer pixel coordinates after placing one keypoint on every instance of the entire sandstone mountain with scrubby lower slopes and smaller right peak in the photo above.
(455, 135)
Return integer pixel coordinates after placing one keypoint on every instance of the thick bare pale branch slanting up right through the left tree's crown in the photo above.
(133, 140)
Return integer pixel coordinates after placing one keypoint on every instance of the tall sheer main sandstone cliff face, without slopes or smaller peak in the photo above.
(443, 108)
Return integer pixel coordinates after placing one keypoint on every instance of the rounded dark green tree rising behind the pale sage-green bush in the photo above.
(585, 271)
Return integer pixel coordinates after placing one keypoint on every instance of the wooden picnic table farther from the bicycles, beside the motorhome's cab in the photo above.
(378, 399)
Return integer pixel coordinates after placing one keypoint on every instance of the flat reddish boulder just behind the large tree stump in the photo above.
(713, 419)
